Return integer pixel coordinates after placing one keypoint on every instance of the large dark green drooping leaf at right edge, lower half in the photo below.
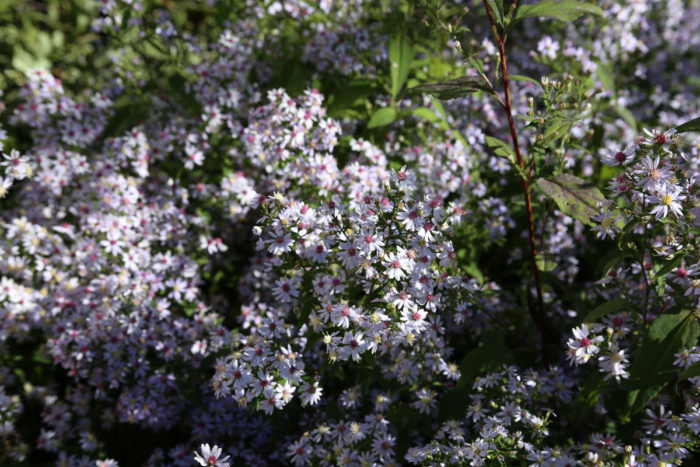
(653, 366)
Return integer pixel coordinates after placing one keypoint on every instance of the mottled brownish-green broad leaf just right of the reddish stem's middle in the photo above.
(573, 196)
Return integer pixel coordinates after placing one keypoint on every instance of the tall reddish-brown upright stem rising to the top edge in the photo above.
(540, 318)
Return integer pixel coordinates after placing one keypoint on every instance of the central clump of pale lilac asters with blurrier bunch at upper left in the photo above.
(354, 269)
